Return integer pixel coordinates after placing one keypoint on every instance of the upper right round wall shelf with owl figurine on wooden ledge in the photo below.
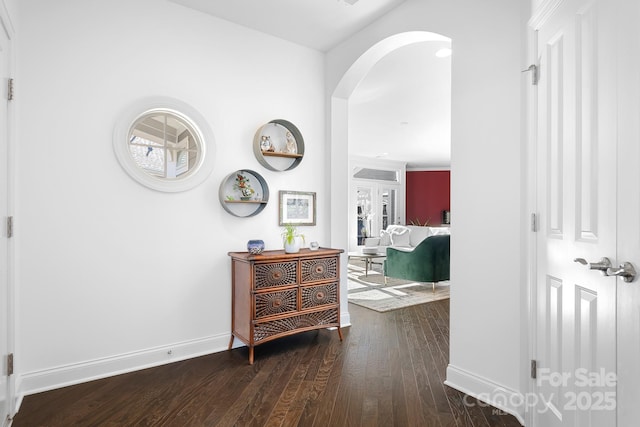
(278, 145)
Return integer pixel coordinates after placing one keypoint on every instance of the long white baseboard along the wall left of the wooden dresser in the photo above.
(62, 376)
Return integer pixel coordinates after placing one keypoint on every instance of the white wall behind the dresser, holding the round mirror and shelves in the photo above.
(112, 275)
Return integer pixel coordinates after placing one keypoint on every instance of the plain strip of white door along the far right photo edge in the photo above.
(629, 210)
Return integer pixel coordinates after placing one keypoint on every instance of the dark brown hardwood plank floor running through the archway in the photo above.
(388, 371)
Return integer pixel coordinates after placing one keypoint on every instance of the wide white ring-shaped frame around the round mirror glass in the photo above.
(199, 173)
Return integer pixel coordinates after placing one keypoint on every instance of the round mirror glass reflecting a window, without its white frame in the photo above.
(164, 145)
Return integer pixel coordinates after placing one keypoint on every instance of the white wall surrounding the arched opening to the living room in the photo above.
(486, 182)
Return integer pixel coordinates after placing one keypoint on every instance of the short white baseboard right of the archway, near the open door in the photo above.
(487, 391)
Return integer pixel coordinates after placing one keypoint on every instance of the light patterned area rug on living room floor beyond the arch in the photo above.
(370, 291)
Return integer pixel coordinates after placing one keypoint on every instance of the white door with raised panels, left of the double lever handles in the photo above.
(576, 199)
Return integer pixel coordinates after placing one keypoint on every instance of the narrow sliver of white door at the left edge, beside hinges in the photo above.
(5, 389)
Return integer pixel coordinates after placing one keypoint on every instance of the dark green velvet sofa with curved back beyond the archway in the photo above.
(427, 262)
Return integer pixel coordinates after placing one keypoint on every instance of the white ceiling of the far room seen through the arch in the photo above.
(401, 110)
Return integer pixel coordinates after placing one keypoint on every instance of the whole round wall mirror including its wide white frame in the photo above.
(165, 145)
